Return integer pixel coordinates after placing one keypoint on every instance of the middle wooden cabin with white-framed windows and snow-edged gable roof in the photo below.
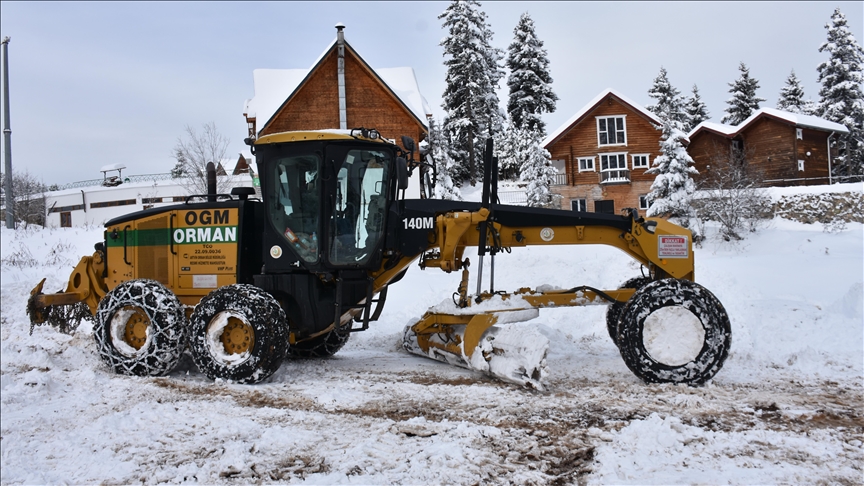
(603, 152)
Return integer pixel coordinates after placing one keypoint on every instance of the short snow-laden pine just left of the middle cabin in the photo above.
(536, 167)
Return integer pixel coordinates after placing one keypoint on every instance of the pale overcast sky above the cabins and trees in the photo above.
(100, 83)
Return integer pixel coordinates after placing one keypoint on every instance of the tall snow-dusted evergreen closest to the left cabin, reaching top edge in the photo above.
(470, 100)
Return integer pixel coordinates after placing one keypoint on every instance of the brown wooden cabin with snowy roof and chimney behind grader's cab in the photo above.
(334, 94)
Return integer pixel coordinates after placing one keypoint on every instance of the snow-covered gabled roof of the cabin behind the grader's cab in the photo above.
(275, 87)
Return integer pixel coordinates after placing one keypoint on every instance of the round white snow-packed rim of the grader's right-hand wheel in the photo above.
(673, 336)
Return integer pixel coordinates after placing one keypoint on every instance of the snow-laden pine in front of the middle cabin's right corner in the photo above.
(673, 187)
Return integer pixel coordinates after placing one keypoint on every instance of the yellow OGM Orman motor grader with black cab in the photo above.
(246, 282)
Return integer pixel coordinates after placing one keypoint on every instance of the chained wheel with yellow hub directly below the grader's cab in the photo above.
(239, 333)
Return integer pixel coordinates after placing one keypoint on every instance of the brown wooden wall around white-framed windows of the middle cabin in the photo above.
(581, 141)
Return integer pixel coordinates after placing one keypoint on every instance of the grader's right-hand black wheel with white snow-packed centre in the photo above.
(689, 306)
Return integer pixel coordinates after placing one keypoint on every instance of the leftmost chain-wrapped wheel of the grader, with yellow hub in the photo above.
(140, 328)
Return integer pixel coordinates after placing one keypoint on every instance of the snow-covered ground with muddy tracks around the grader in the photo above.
(788, 406)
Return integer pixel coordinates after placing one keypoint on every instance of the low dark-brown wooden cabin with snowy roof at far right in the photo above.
(782, 148)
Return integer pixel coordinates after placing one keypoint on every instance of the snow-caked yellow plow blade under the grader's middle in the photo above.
(486, 342)
